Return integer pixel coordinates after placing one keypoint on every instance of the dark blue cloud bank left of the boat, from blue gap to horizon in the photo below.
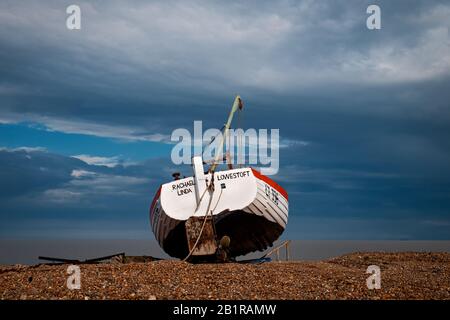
(58, 194)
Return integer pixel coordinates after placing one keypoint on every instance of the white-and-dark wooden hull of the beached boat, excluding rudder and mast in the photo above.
(245, 205)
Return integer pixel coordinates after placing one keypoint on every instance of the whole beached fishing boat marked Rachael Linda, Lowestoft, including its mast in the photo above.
(218, 214)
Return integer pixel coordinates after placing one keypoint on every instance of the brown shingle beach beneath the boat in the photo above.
(404, 276)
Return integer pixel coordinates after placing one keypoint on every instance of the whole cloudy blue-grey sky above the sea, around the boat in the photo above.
(364, 115)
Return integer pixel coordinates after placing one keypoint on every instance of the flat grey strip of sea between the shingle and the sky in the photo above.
(27, 251)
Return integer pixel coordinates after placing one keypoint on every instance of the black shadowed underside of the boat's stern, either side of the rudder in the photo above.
(248, 233)
